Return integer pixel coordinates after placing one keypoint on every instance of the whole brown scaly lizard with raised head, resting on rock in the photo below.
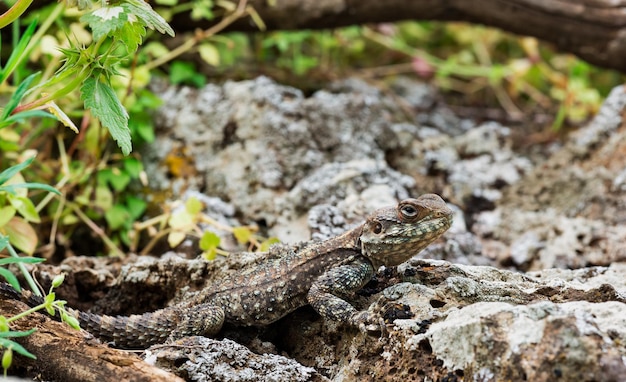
(321, 274)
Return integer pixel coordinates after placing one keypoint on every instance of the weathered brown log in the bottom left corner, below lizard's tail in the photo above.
(65, 354)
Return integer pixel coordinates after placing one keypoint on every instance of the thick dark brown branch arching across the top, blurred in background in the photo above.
(594, 30)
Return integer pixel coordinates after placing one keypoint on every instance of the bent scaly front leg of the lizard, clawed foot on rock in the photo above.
(326, 292)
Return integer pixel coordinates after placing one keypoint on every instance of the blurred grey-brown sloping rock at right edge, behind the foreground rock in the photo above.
(569, 211)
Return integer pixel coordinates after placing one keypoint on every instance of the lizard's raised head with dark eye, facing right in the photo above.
(393, 235)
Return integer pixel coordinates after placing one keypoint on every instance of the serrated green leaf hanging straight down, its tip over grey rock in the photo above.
(104, 104)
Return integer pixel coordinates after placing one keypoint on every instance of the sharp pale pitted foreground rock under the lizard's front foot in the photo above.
(481, 323)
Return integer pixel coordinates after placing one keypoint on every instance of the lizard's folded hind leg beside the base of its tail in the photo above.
(199, 320)
